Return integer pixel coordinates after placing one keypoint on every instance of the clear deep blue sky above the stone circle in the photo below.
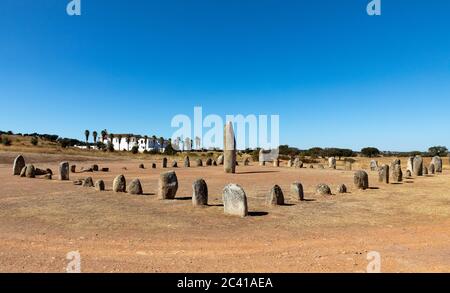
(336, 76)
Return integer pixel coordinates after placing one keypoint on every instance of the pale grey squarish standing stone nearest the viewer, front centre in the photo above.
(234, 200)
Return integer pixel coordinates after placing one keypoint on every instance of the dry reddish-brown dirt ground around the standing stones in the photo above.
(41, 221)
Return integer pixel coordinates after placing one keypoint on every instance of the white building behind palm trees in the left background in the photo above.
(143, 144)
